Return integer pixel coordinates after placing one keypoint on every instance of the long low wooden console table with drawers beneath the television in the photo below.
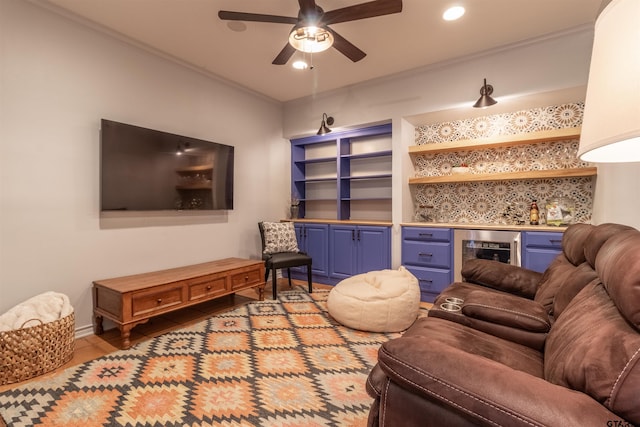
(131, 300)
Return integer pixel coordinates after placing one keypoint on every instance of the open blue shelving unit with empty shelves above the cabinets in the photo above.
(346, 172)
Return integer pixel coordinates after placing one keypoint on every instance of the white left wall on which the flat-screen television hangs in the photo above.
(58, 79)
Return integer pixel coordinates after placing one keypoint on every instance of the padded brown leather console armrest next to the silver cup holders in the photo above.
(508, 310)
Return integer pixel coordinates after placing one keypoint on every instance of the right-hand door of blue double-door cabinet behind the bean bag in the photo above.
(374, 248)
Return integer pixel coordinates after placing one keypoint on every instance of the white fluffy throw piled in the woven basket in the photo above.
(45, 308)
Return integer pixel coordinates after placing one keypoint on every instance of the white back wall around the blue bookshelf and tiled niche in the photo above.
(532, 74)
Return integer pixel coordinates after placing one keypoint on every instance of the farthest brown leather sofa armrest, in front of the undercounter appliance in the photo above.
(504, 277)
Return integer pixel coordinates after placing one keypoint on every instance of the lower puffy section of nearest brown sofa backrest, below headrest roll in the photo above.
(591, 348)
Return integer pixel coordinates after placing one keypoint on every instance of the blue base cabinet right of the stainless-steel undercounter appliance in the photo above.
(540, 248)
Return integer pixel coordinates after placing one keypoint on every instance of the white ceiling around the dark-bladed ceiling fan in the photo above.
(191, 32)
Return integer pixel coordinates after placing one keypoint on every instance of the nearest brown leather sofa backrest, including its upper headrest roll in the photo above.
(594, 346)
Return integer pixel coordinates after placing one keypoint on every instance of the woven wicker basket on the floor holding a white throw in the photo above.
(28, 352)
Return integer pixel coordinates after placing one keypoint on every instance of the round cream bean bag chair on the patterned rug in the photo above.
(377, 301)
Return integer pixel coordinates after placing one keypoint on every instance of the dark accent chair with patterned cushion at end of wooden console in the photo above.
(280, 250)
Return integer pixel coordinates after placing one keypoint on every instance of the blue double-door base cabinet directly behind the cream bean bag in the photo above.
(356, 249)
